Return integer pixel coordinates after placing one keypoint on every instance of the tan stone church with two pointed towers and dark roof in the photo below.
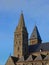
(37, 53)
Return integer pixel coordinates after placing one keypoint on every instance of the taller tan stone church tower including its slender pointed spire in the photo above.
(21, 39)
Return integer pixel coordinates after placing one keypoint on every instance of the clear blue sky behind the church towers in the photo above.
(35, 12)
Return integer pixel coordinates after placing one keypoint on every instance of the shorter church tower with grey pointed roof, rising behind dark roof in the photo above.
(35, 37)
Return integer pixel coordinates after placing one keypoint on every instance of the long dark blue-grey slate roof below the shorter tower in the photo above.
(38, 47)
